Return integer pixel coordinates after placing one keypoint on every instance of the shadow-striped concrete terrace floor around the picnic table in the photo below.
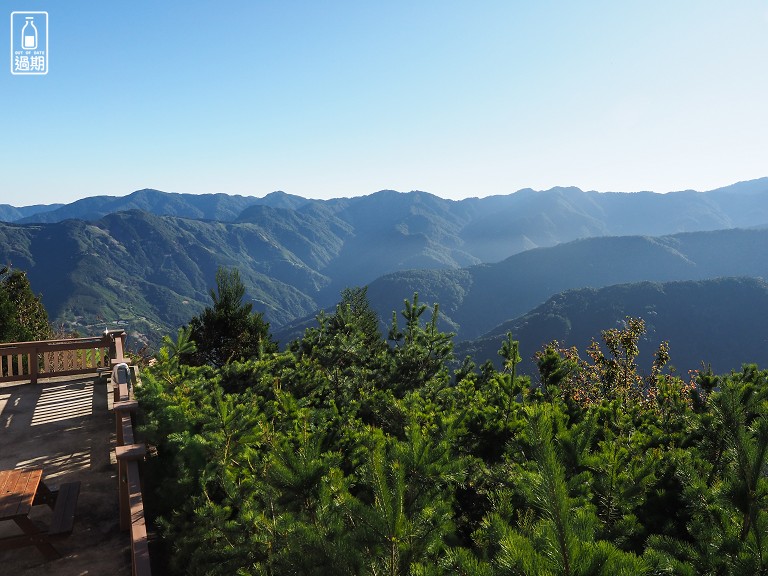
(66, 428)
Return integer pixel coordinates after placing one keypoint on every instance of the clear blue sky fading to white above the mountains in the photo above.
(343, 98)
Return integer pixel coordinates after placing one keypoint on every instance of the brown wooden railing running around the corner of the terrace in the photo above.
(30, 361)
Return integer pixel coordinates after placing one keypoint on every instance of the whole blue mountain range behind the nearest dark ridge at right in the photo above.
(148, 259)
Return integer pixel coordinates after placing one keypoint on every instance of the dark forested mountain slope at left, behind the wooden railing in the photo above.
(153, 272)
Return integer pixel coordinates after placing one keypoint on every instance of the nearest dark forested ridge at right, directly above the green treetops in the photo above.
(719, 322)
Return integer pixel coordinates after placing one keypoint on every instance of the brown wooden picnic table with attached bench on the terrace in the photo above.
(19, 491)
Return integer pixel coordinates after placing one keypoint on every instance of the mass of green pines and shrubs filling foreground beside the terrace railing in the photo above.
(351, 454)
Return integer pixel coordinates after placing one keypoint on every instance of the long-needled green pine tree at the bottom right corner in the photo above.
(727, 495)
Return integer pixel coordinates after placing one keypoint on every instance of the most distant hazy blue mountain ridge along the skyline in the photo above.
(459, 233)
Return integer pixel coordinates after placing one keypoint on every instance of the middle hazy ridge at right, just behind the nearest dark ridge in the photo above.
(475, 299)
